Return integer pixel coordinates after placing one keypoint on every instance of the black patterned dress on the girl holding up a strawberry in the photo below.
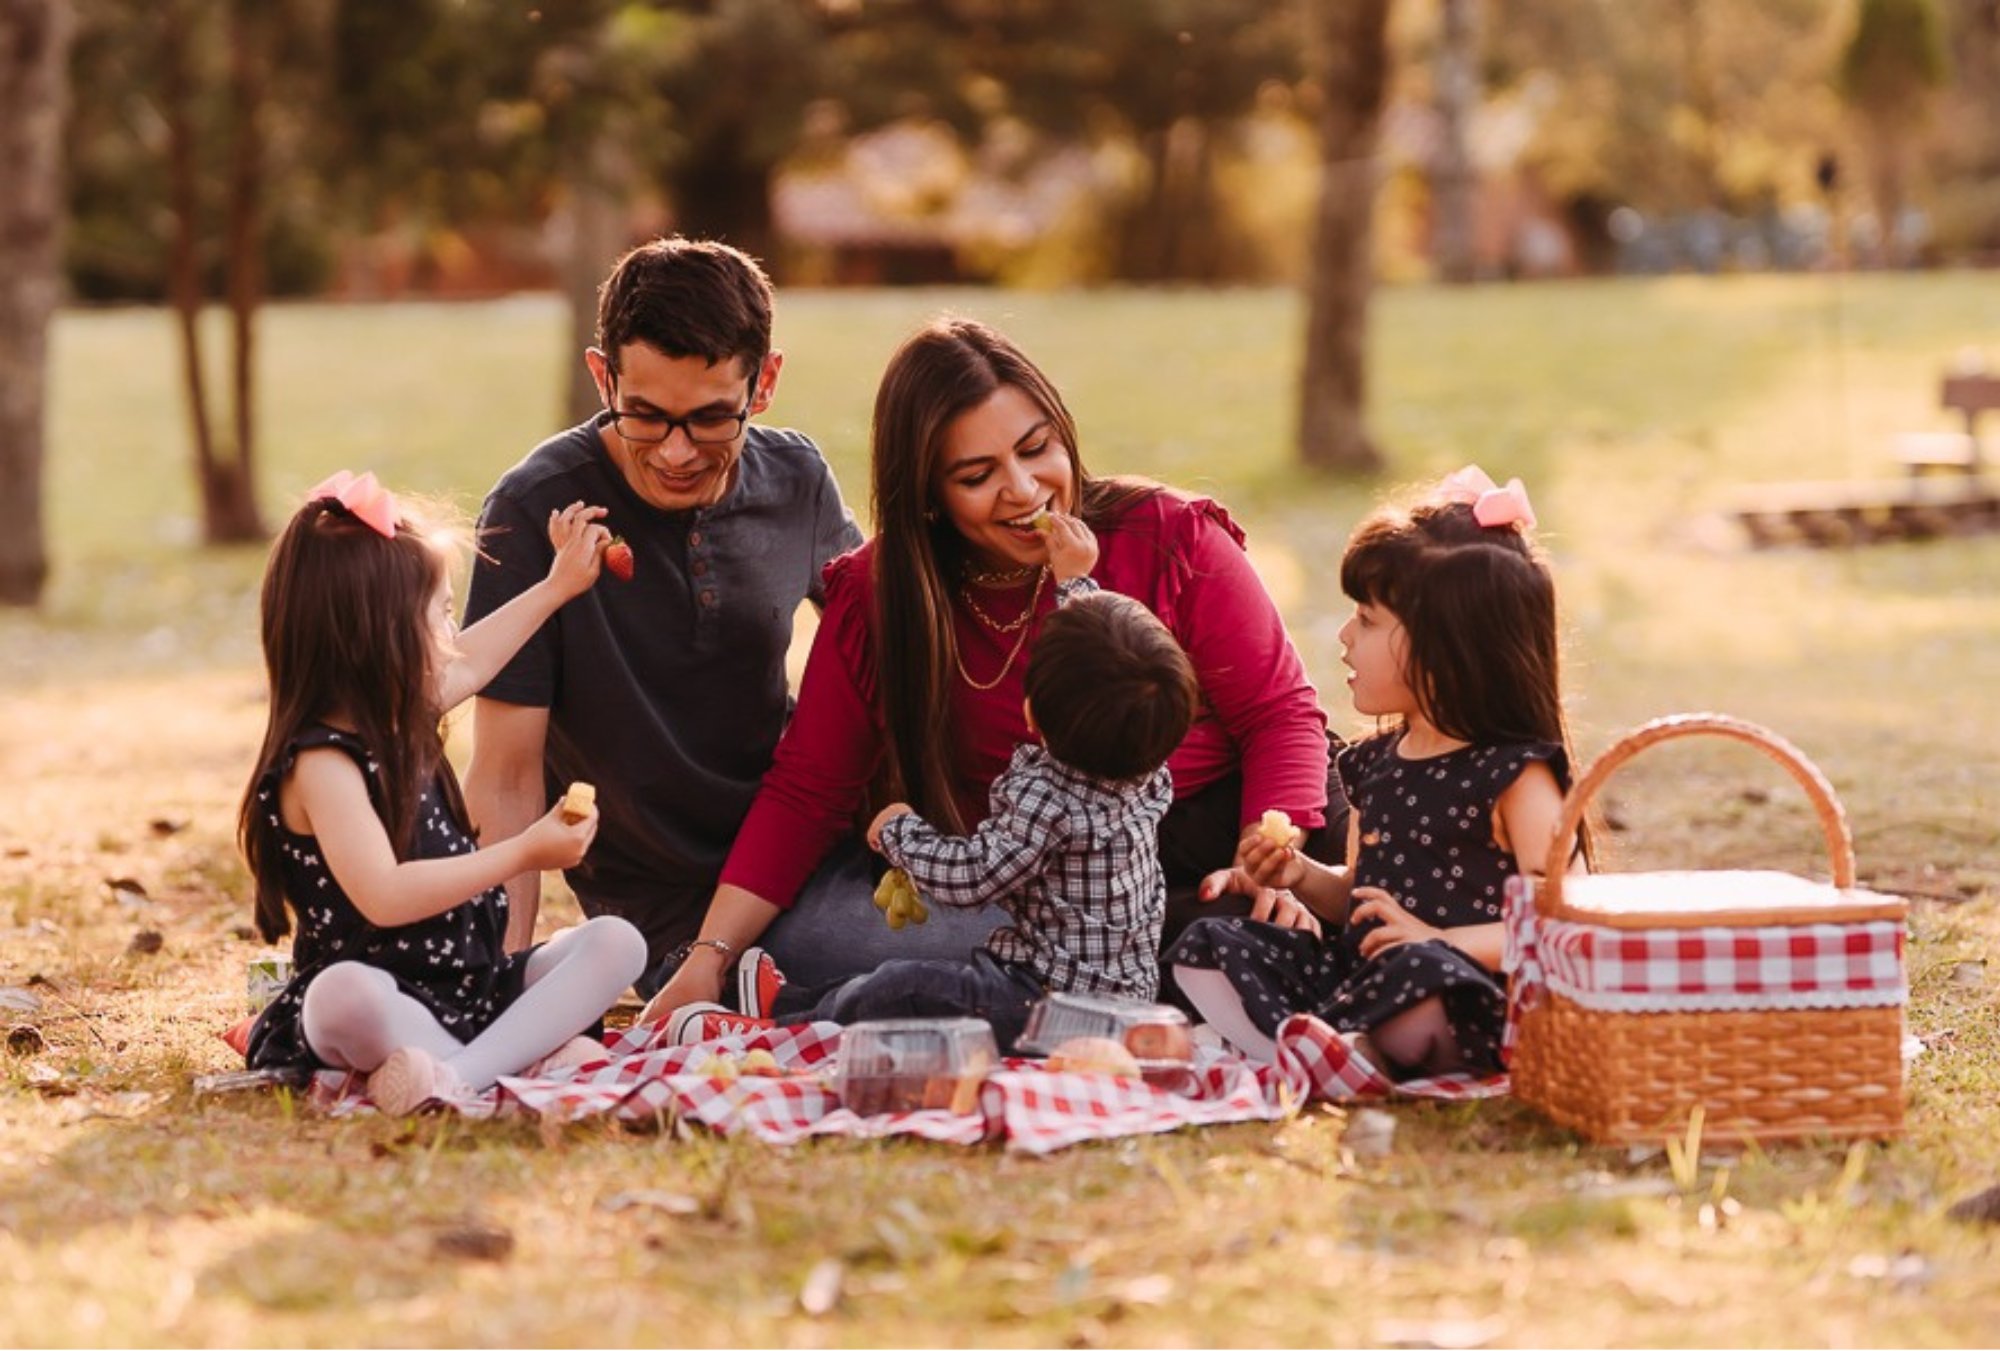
(453, 964)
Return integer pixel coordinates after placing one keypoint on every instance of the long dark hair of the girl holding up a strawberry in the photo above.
(347, 631)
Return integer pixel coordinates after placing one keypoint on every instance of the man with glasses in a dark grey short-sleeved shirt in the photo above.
(667, 692)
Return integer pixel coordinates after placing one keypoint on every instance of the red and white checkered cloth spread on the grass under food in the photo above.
(1031, 1108)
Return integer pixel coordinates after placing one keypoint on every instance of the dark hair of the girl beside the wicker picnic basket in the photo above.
(1479, 617)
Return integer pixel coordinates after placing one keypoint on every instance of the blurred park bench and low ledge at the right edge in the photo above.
(1947, 489)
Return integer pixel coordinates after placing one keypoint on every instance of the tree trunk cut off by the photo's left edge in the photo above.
(35, 41)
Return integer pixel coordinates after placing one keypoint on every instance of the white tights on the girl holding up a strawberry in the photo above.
(355, 1016)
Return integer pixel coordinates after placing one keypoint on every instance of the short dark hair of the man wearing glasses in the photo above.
(687, 299)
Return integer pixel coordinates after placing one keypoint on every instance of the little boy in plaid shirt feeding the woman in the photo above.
(1071, 848)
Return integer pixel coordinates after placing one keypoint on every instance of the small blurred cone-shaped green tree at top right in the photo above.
(1893, 63)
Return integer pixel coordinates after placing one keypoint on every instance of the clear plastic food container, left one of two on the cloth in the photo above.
(915, 1064)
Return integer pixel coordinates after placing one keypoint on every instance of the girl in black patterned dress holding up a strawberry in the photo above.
(355, 822)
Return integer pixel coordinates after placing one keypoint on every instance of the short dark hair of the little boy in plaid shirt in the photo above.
(1109, 688)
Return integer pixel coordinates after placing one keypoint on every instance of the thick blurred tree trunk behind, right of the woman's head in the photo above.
(1353, 41)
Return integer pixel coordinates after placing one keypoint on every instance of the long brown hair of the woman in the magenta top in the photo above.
(941, 373)
